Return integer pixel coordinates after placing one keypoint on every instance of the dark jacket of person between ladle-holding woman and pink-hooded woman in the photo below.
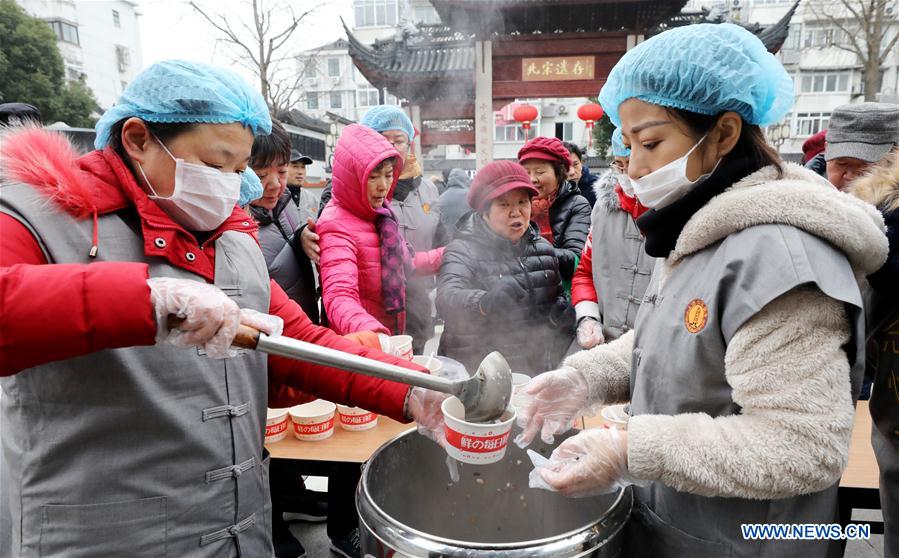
(287, 264)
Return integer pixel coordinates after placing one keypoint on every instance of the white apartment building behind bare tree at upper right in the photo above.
(825, 75)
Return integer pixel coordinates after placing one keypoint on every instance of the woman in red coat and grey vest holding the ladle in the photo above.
(114, 446)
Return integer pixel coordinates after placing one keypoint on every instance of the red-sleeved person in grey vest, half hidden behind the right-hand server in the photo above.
(614, 270)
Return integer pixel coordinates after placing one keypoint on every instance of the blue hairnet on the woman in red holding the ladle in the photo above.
(180, 91)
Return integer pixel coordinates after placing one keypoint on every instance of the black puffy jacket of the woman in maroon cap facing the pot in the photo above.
(475, 262)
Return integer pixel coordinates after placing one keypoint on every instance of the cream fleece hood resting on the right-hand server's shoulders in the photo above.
(801, 199)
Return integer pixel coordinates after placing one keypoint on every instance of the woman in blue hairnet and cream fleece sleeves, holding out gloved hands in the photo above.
(747, 352)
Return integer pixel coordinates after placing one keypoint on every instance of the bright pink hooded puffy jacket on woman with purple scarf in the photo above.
(350, 245)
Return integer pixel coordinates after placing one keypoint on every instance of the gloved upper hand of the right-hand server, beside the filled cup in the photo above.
(549, 404)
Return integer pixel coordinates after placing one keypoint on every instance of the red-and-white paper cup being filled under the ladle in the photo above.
(473, 442)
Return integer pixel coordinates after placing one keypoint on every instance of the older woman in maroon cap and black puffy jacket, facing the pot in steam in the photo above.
(499, 287)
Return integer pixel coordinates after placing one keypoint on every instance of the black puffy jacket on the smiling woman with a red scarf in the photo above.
(569, 218)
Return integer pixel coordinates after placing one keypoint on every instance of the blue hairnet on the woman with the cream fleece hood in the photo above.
(707, 68)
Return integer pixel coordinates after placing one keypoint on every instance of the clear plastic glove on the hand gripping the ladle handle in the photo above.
(210, 317)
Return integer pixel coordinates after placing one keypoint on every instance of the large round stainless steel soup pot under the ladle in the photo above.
(408, 507)
